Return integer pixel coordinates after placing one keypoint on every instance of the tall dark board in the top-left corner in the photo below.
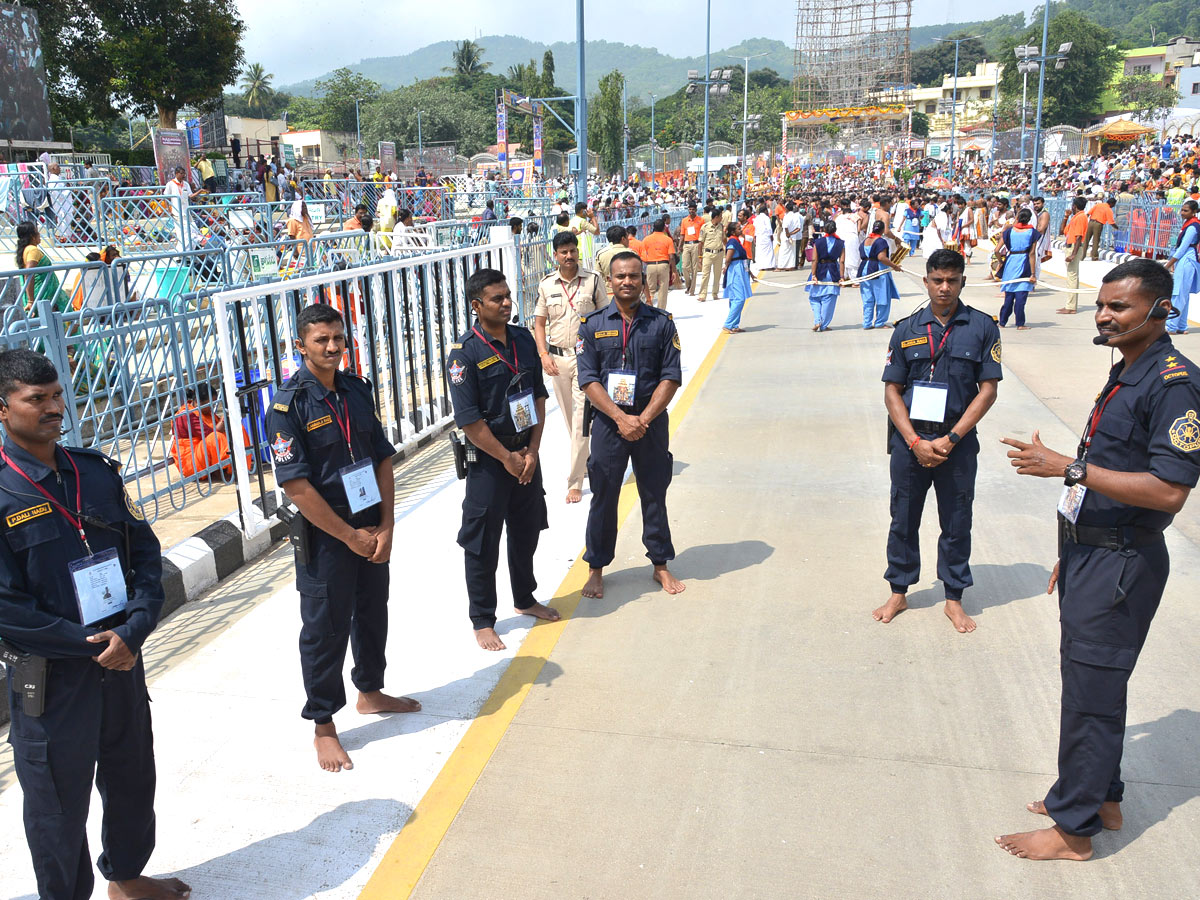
(25, 101)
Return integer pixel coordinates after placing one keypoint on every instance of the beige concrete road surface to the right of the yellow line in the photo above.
(761, 736)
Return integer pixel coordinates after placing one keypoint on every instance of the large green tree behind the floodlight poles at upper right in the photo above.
(1073, 94)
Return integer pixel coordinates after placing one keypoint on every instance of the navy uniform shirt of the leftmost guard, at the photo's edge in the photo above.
(39, 613)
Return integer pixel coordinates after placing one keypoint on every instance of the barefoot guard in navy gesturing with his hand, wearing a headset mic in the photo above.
(1138, 461)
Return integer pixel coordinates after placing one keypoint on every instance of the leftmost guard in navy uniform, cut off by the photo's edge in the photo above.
(81, 590)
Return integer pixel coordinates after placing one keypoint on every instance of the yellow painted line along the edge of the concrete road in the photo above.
(413, 849)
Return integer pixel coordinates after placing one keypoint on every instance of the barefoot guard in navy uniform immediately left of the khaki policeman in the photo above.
(500, 403)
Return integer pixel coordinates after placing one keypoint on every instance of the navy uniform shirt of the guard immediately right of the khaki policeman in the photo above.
(652, 350)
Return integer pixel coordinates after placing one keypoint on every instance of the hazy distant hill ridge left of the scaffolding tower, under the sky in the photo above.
(646, 69)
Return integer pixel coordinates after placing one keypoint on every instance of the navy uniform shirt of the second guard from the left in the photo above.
(308, 441)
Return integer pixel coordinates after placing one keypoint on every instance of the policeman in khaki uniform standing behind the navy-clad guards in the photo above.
(563, 298)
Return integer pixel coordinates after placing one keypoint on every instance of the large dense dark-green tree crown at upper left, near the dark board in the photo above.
(164, 57)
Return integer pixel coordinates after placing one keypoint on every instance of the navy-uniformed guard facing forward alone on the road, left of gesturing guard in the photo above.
(940, 377)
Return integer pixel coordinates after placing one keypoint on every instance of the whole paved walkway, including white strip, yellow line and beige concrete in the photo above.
(759, 736)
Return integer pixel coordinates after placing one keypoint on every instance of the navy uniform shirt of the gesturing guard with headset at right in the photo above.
(1151, 424)
